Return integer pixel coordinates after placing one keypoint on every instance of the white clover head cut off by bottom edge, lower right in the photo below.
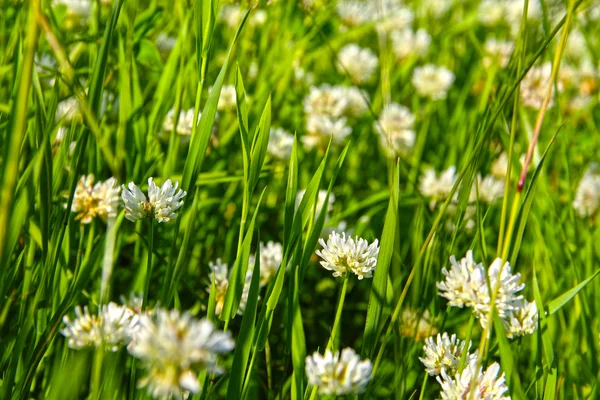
(488, 386)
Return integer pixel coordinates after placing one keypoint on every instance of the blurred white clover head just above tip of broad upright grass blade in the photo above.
(395, 127)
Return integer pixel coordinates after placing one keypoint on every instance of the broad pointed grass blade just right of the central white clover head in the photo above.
(379, 286)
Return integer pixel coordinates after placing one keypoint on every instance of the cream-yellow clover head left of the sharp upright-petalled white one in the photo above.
(95, 200)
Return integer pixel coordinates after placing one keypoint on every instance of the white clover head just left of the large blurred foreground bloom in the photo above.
(112, 328)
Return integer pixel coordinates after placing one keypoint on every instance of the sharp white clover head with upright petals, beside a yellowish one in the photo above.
(161, 203)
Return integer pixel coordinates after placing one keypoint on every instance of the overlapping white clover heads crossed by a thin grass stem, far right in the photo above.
(466, 285)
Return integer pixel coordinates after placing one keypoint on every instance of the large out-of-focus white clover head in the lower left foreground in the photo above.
(174, 347)
